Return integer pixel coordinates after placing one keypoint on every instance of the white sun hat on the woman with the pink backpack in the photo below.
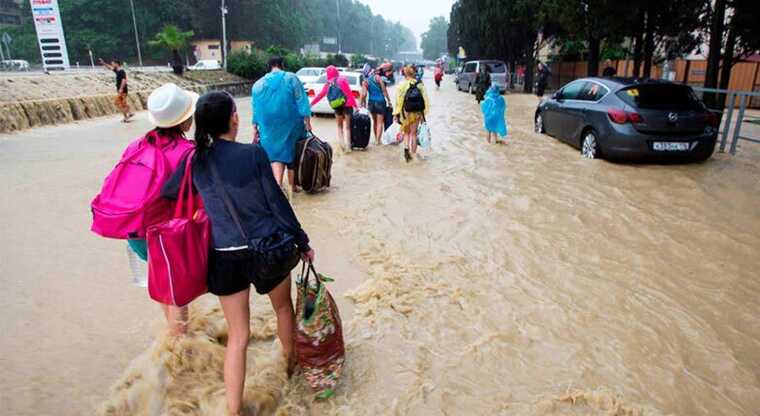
(170, 105)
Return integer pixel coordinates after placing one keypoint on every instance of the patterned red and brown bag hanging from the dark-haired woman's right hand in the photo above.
(319, 334)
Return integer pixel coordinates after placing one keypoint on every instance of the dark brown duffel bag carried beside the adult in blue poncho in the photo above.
(313, 164)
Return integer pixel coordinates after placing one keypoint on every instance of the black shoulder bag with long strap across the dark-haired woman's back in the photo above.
(275, 255)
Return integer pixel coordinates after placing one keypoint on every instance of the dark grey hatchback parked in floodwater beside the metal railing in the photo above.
(624, 118)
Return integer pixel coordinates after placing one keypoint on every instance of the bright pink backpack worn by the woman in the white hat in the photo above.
(130, 199)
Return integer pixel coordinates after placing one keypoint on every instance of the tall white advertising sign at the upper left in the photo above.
(47, 21)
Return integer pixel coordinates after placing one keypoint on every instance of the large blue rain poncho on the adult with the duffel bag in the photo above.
(279, 107)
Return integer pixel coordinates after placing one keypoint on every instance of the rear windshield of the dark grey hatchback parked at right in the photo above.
(660, 97)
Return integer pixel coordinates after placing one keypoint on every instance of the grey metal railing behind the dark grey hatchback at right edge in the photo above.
(736, 135)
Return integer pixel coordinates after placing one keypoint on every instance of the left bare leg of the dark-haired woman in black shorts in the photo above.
(237, 315)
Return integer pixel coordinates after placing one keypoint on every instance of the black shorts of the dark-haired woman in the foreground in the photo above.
(230, 272)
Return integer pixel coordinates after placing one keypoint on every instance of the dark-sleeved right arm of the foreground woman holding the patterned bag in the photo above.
(281, 209)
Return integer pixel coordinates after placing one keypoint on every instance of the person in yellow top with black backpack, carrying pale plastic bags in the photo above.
(412, 105)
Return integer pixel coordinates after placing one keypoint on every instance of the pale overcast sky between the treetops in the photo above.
(414, 14)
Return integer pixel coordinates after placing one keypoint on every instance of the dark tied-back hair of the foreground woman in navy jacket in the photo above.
(212, 118)
